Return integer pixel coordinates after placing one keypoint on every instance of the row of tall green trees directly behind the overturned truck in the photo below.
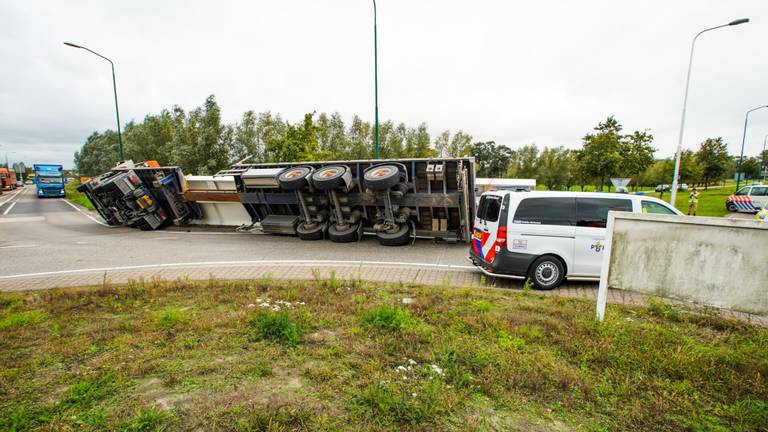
(201, 143)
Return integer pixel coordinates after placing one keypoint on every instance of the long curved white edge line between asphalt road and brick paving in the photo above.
(303, 263)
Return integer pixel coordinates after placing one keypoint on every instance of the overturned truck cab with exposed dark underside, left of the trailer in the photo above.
(145, 196)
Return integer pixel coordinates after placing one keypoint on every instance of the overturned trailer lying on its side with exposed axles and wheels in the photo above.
(395, 200)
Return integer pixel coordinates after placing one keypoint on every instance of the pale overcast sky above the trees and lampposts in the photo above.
(513, 72)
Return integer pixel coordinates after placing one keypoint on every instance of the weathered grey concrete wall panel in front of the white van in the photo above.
(712, 261)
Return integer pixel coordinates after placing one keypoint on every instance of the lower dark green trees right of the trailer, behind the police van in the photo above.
(607, 153)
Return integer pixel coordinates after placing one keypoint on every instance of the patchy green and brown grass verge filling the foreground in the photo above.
(346, 355)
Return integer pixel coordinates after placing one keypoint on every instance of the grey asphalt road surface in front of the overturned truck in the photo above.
(48, 235)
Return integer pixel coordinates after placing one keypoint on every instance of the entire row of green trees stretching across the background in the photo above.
(201, 143)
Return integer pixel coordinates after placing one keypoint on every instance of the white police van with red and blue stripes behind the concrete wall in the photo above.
(548, 236)
